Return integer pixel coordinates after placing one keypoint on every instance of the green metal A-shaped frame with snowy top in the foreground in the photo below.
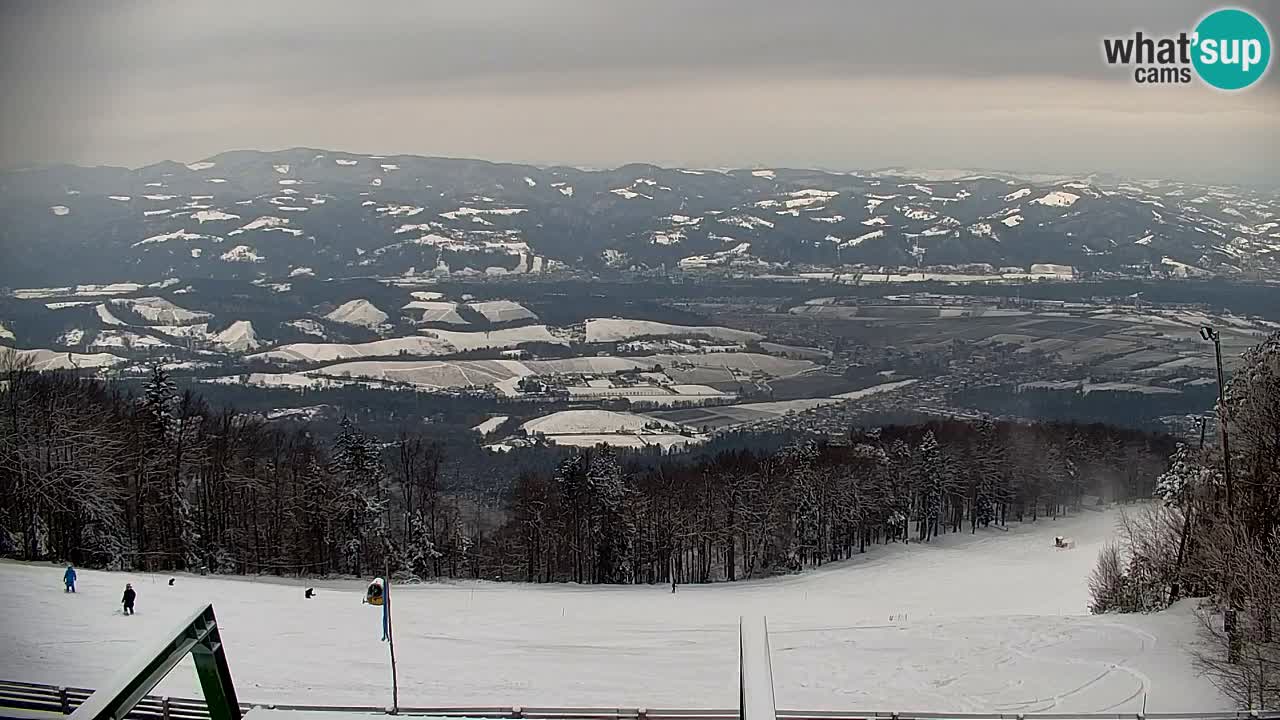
(198, 636)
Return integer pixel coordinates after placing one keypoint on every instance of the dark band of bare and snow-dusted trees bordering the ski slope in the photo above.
(157, 480)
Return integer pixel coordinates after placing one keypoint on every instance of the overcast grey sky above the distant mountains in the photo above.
(845, 85)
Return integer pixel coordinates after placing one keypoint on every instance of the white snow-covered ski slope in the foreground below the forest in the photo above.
(988, 623)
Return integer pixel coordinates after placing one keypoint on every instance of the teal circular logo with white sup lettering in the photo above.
(1232, 49)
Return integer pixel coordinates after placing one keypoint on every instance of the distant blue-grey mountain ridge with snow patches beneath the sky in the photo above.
(337, 215)
